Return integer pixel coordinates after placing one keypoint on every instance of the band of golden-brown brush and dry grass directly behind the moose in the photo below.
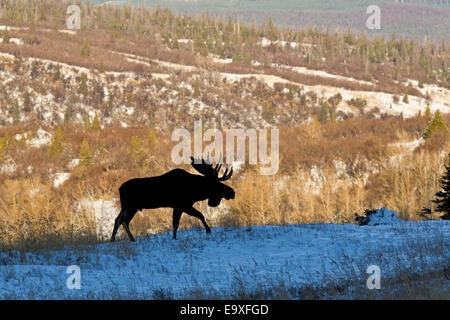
(308, 188)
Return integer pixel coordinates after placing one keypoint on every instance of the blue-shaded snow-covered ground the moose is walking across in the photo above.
(229, 261)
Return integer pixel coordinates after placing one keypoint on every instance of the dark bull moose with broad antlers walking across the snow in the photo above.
(177, 189)
